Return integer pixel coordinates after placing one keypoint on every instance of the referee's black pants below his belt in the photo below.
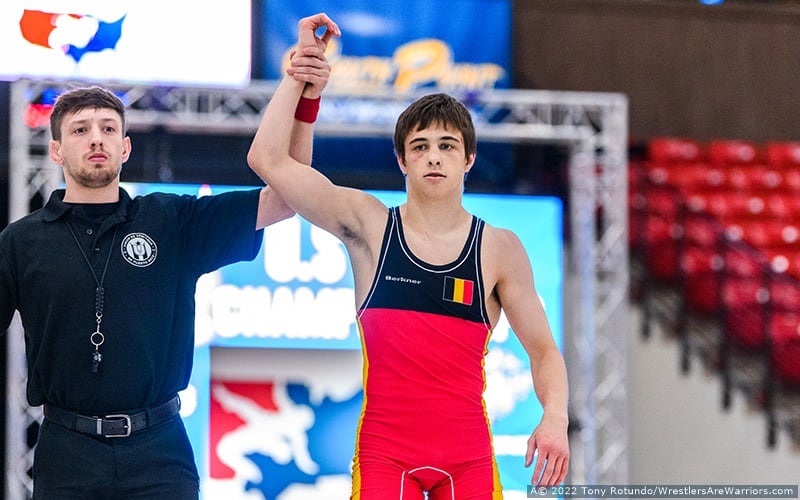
(154, 464)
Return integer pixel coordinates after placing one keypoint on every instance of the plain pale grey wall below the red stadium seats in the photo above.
(681, 435)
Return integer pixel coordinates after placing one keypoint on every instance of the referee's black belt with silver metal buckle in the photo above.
(114, 424)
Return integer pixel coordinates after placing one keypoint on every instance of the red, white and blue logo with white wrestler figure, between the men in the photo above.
(280, 439)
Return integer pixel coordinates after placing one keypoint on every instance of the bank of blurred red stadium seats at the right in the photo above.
(718, 223)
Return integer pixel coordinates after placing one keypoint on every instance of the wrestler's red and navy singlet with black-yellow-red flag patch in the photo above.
(424, 332)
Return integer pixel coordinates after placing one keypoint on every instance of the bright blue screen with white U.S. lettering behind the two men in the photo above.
(277, 357)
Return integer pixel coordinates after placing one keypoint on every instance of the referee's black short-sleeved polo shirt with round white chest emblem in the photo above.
(162, 243)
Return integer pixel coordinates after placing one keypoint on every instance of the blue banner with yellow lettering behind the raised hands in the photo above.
(402, 45)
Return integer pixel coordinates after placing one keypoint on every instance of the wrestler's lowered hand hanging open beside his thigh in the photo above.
(550, 445)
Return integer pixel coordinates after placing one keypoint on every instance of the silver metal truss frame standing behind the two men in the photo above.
(592, 126)
